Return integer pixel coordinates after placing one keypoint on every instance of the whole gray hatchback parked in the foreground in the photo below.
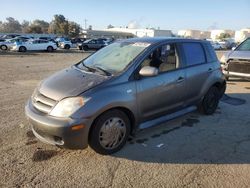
(126, 86)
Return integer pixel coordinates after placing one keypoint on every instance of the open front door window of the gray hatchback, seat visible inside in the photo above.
(165, 58)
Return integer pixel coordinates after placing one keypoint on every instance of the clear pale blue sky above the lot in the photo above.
(164, 14)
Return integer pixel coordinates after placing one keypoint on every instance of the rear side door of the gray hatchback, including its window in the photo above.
(197, 69)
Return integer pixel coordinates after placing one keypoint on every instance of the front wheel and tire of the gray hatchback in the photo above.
(107, 137)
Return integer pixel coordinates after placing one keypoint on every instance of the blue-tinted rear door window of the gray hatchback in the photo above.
(194, 53)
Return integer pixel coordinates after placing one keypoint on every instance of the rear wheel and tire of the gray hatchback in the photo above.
(210, 101)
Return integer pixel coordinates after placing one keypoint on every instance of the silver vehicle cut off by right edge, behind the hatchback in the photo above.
(236, 63)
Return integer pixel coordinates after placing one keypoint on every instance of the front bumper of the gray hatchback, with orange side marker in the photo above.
(58, 131)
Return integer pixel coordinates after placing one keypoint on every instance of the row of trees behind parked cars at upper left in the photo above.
(59, 25)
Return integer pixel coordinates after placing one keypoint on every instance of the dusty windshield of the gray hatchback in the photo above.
(115, 57)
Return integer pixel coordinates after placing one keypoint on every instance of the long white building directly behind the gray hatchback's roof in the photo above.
(143, 32)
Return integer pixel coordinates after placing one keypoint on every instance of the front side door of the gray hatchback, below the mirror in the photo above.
(165, 92)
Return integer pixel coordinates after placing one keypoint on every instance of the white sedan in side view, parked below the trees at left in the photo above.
(34, 45)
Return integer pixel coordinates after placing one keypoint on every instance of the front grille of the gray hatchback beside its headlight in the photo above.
(42, 103)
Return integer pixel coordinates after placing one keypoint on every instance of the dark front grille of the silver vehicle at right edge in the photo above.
(239, 65)
